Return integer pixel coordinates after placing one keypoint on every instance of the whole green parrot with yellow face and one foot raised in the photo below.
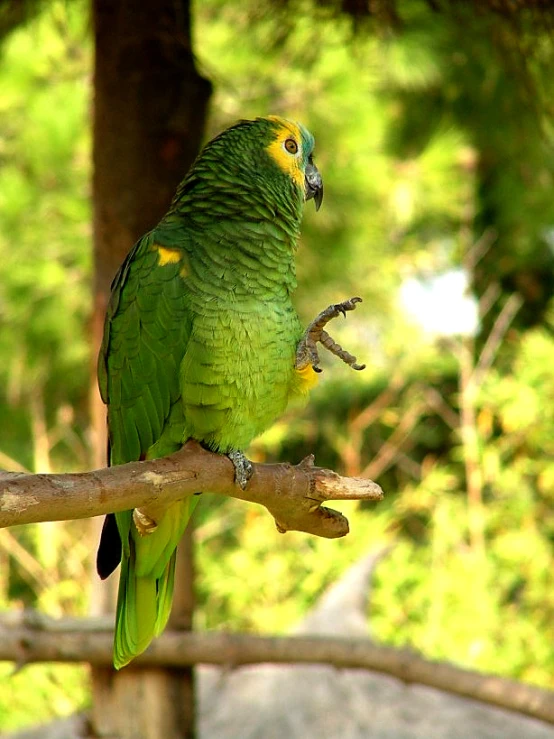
(201, 341)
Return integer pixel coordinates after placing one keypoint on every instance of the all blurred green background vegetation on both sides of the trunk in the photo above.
(436, 152)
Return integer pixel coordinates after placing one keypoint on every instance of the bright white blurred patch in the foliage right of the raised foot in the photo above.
(441, 304)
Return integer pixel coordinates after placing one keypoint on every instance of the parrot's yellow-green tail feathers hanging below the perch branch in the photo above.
(146, 580)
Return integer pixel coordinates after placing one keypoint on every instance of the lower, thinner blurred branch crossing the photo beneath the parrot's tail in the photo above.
(38, 639)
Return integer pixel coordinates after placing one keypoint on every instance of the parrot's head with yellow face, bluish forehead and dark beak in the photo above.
(269, 156)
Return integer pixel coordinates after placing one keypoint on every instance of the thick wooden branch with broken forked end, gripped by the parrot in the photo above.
(292, 494)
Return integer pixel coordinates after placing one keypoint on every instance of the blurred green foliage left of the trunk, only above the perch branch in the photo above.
(44, 230)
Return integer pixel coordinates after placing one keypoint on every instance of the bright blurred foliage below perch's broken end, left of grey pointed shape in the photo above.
(252, 579)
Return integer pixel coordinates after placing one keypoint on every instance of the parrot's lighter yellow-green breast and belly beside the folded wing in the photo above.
(238, 371)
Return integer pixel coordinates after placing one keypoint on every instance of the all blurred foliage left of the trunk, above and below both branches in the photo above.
(45, 302)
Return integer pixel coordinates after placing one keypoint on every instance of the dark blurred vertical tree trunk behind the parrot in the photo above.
(149, 112)
